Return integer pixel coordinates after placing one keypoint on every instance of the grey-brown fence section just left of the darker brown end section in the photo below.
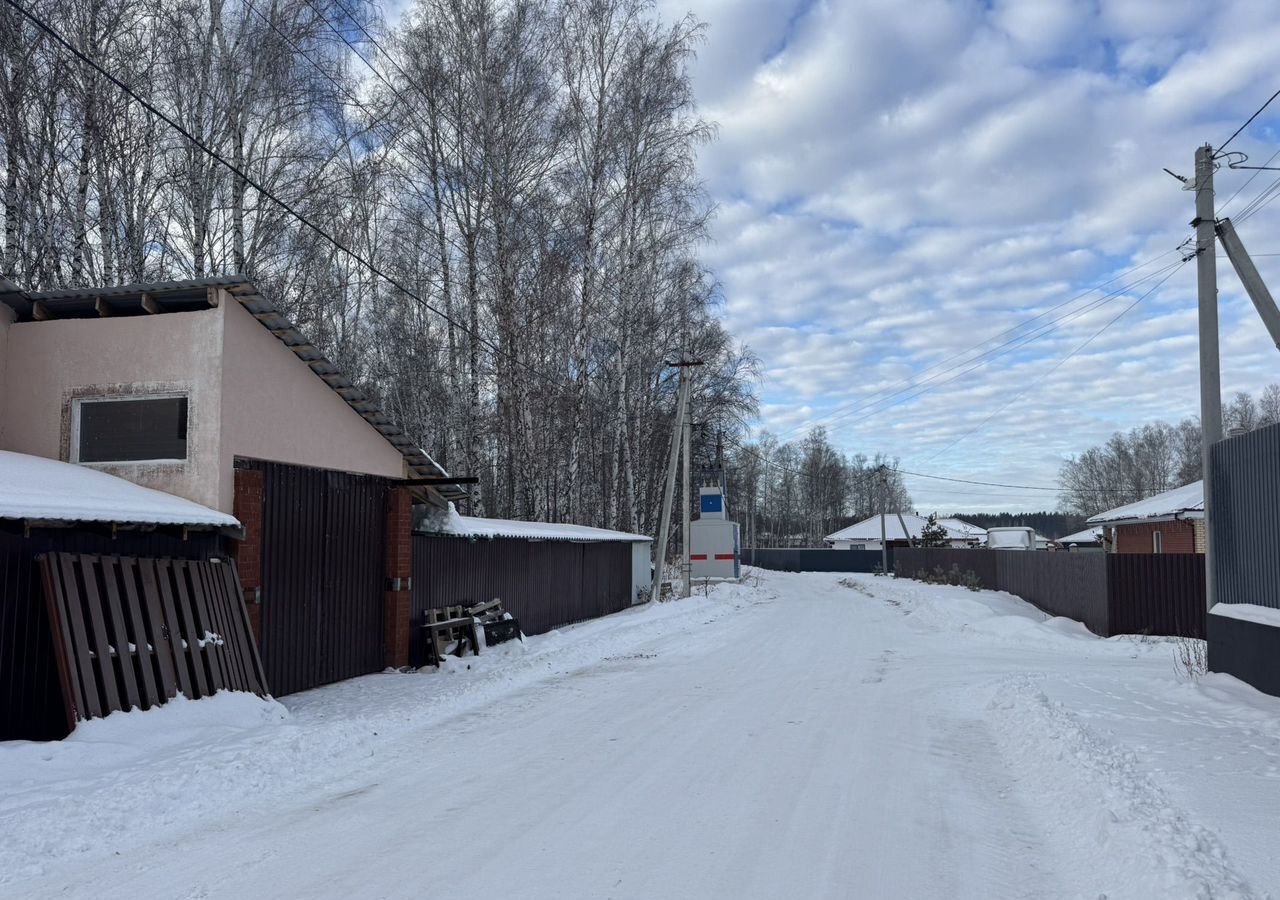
(1062, 584)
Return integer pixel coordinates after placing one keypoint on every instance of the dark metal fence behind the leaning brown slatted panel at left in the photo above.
(31, 700)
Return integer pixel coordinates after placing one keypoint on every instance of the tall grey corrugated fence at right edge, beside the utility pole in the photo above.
(1246, 485)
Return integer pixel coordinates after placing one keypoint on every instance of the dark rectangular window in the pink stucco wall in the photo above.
(124, 431)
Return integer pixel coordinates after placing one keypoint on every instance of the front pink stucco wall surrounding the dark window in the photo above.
(52, 363)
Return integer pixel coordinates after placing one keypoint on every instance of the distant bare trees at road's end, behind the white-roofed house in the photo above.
(796, 494)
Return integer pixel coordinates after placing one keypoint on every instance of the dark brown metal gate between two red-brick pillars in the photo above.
(323, 575)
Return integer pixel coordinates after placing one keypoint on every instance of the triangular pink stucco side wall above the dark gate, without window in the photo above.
(275, 408)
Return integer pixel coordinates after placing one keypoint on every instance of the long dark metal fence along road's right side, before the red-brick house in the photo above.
(1113, 593)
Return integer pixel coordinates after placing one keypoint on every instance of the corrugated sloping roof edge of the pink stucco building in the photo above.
(145, 299)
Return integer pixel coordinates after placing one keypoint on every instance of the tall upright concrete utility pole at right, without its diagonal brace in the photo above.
(1212, 382)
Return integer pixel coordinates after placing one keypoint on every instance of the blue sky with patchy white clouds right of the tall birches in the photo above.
(898, 181)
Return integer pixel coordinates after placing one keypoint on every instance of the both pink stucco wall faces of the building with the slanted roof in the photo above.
(248, 394)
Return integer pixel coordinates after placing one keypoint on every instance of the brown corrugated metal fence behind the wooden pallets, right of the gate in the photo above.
(546, 584)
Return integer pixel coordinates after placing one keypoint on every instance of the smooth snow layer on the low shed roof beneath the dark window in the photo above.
(35, 488)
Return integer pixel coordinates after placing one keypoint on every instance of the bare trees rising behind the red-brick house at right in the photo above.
(1144, 462)
